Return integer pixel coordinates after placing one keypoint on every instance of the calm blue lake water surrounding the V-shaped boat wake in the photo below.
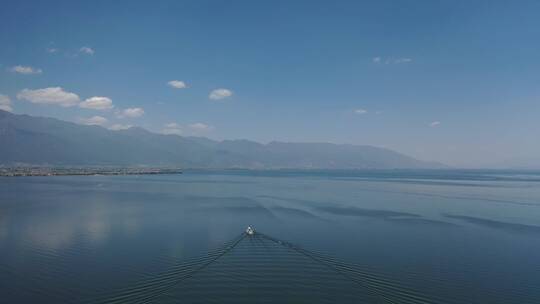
(449, 236)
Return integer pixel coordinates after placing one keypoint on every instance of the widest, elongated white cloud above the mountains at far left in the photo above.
(52, 96)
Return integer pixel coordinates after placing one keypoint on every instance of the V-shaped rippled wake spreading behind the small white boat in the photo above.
(255, 267)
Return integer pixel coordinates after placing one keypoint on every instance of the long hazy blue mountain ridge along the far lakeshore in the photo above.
(38, 140)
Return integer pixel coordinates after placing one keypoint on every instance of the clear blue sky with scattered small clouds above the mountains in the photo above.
(450, 81)
